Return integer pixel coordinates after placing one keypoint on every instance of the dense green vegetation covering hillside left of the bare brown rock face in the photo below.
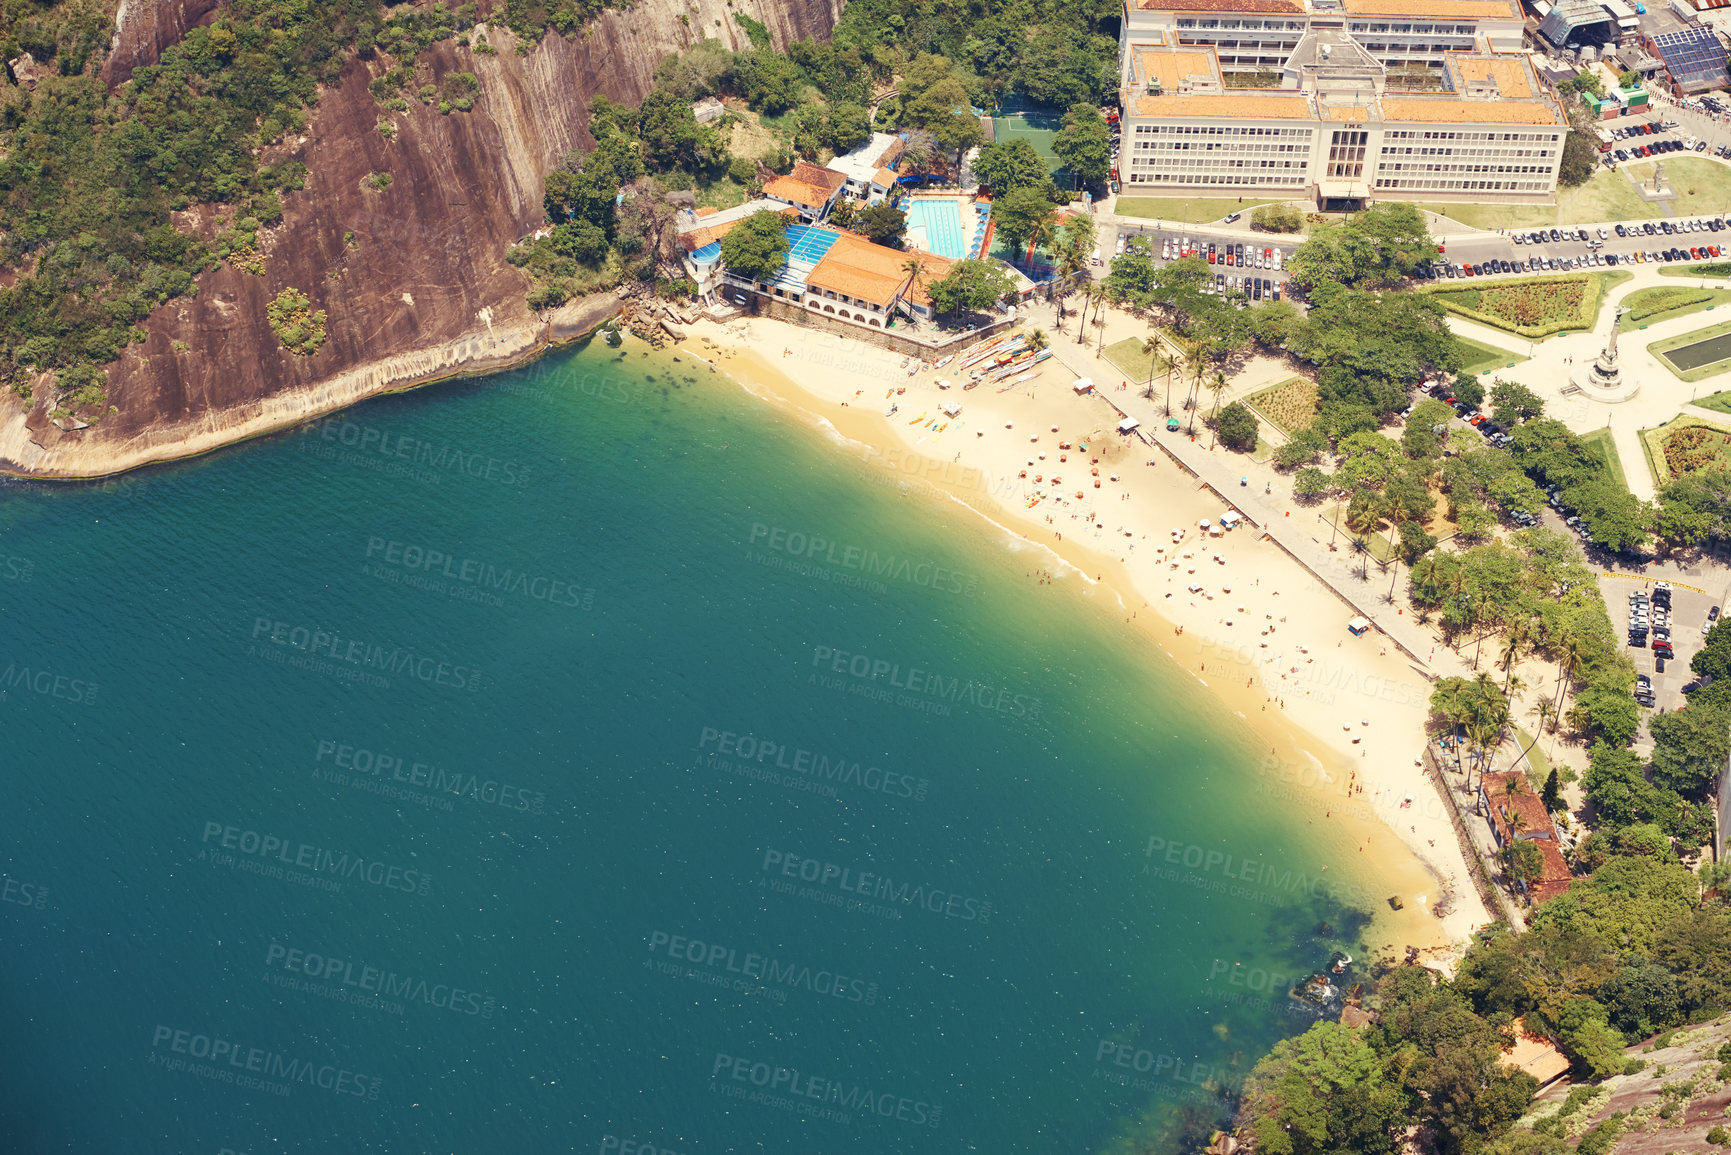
(91, 181)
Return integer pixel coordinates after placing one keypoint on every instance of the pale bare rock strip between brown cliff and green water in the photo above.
(472, 356)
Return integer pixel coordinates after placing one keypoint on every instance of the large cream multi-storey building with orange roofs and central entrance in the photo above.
(1337, 101)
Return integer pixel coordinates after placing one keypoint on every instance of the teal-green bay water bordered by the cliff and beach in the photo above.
(589, 756)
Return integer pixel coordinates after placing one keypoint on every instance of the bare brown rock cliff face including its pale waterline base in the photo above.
(413, 278)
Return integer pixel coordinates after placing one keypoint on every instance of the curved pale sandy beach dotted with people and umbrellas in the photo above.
(1342, 716)
